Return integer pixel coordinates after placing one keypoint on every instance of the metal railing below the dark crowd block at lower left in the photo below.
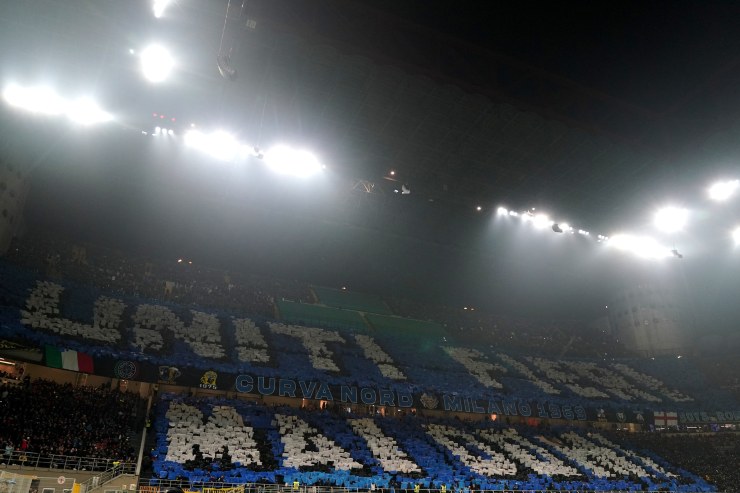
(64, 462)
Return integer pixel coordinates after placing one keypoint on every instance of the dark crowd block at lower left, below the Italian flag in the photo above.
(48, 418)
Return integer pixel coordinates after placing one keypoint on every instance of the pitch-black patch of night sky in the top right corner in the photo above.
(651, 54)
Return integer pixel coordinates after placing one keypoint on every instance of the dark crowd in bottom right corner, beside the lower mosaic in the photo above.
(713, 456)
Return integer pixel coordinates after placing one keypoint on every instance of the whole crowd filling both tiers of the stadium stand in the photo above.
(218, 440)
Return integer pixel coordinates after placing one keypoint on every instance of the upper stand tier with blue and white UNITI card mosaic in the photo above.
(402, 358)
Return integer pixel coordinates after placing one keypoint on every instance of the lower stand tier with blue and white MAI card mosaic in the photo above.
(349, 451)
